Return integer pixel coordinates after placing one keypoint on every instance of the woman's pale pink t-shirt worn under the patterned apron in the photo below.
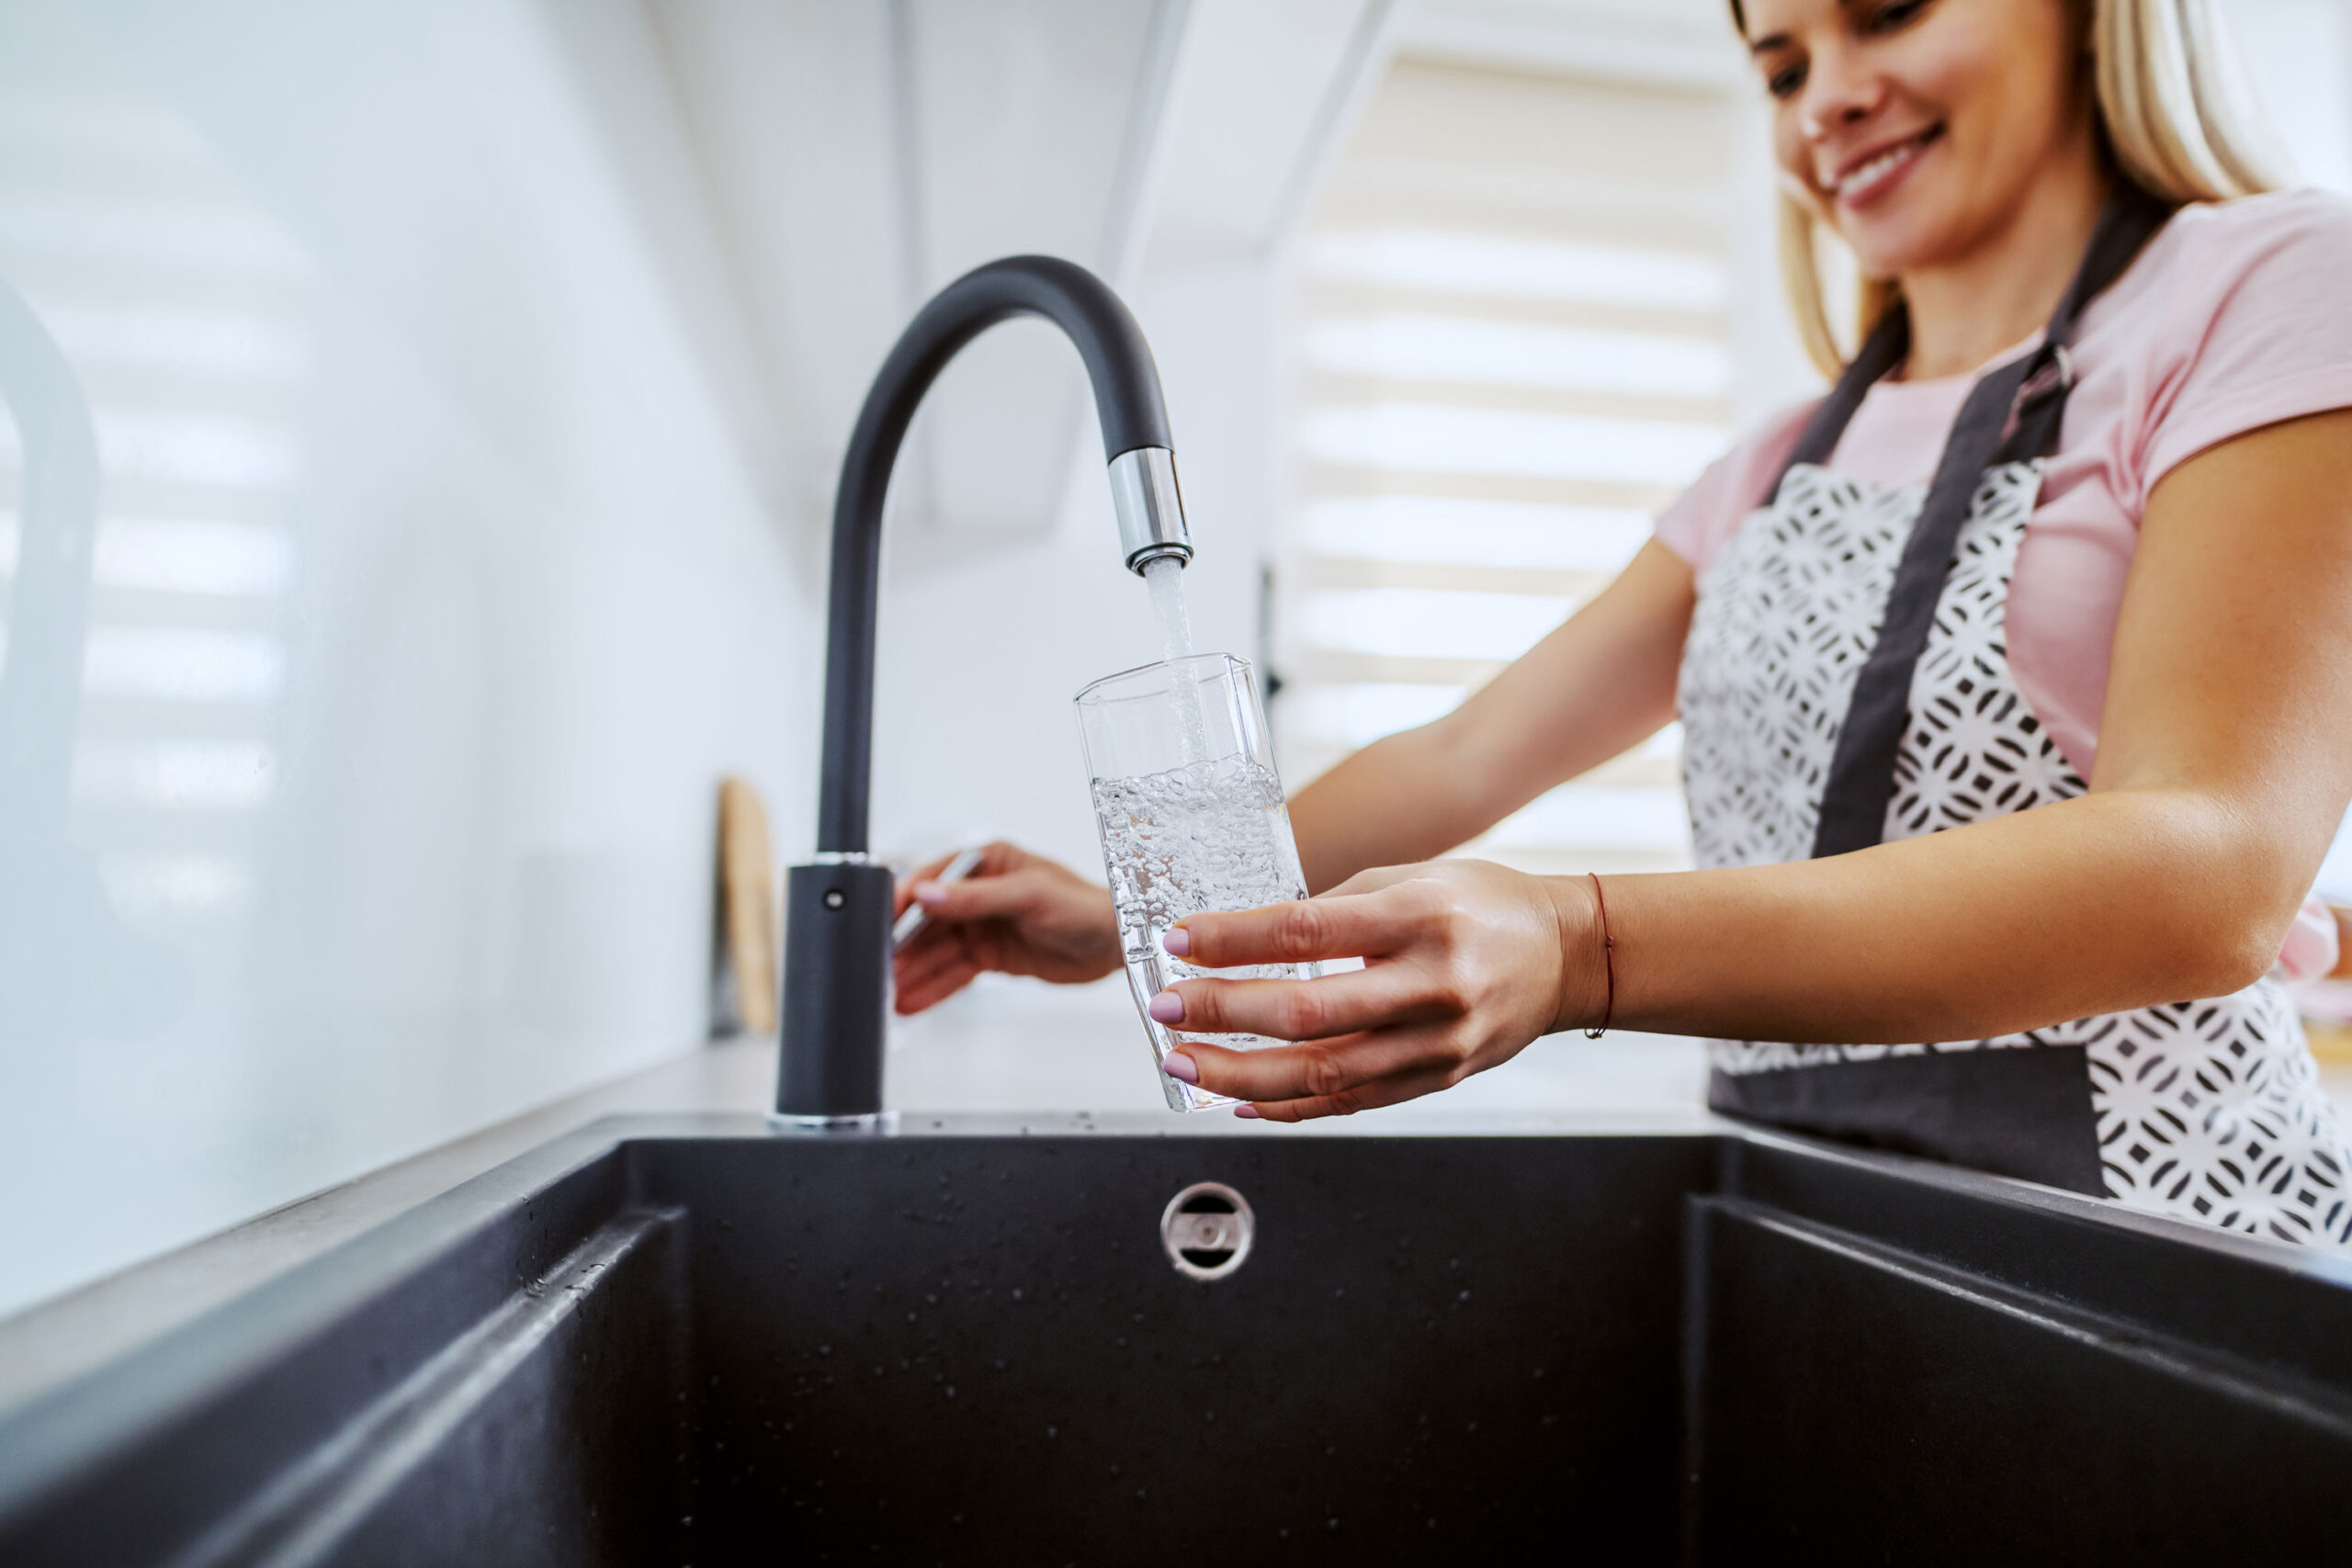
(2233, 319)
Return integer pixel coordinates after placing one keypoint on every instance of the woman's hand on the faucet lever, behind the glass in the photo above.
(1015, 913)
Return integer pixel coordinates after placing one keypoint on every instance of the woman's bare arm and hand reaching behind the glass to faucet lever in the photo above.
(1598, 685)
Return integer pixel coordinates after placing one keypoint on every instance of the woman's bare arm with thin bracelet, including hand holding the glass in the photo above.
(2224, 770)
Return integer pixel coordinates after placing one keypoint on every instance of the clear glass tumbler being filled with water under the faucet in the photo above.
(1191, 817)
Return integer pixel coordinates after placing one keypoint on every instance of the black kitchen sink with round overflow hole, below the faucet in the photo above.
(686, 1341)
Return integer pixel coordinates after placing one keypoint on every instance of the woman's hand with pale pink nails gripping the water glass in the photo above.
(1464, 965)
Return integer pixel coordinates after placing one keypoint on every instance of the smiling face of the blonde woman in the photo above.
(1923, 128)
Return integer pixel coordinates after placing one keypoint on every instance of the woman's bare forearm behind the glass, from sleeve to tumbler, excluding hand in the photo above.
(1593, 688)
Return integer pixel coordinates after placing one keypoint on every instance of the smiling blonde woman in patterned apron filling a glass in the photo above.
(2012, 676)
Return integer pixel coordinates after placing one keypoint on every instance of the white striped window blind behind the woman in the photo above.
(1509, 347)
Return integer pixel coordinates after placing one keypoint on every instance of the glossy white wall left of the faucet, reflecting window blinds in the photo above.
(432, 603)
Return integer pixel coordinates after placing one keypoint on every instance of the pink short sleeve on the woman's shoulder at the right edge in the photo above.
(2257, 328)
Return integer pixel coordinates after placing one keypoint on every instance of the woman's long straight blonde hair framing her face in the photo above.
(2174, 112)
